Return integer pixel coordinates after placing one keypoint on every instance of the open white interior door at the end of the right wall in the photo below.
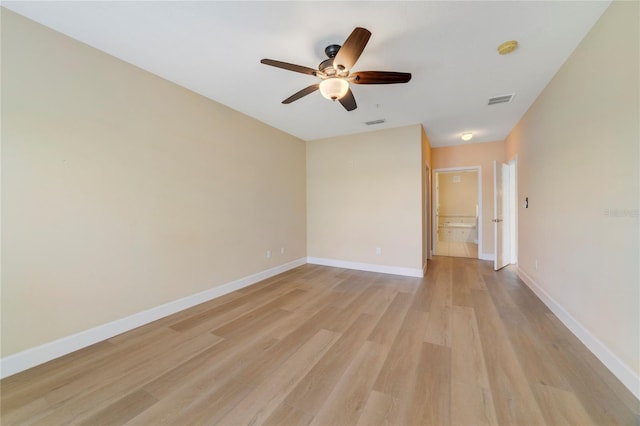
(500, 213)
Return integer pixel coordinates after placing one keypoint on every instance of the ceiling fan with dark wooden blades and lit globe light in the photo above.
(335, 74)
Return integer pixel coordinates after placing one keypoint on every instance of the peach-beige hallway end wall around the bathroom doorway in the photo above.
(476, 154)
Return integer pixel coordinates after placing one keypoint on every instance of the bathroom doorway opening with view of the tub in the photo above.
(457, 212)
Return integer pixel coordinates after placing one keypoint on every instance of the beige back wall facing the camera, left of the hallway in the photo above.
(364, 191)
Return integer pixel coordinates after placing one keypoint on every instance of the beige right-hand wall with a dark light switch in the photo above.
(578, 161)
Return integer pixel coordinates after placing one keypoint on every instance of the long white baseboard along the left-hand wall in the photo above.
(29, 358)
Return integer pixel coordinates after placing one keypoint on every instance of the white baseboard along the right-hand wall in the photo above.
(619, 369)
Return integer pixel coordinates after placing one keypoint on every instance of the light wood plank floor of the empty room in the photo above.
(328, 346)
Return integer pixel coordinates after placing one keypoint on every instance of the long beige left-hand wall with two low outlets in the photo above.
(122, 191)
